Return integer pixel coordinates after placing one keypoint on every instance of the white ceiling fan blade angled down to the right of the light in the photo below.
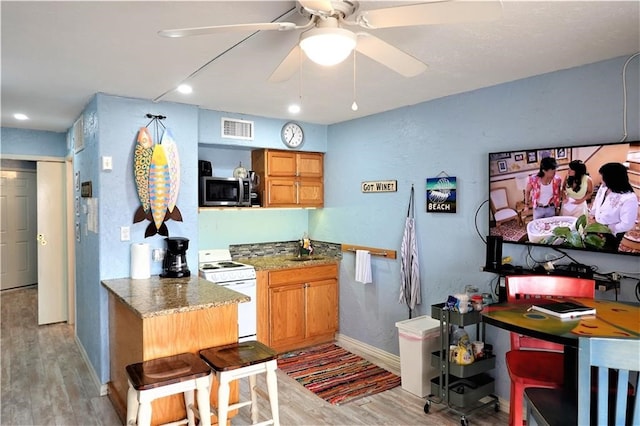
(389, 56)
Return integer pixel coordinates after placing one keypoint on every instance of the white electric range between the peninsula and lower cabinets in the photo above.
(216, 266)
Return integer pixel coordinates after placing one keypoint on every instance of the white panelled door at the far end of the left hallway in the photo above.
(19, 264)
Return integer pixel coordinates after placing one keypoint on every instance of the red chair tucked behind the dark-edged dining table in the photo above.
(535, 362)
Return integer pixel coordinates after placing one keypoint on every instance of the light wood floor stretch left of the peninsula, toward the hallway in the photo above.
(45, 380)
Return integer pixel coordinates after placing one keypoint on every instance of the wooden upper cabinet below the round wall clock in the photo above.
(288, 178)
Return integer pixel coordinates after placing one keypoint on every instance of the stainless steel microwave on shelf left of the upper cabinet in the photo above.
(224, 192)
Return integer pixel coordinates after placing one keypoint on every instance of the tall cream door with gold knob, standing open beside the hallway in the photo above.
(52, 243)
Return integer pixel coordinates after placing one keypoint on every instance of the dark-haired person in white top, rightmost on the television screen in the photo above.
(615, 205)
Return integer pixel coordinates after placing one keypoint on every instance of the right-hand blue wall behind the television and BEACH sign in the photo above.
(454, 135)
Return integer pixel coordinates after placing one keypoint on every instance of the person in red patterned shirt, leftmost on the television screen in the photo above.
(543, 190)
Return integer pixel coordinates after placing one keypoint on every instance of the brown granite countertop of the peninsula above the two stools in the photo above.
(165, 296)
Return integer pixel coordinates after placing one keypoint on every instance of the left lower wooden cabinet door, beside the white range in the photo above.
(286, 314)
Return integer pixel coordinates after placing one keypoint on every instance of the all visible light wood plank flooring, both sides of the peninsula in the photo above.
(45, 381)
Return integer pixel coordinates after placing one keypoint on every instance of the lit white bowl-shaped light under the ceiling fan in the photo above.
(328, 46)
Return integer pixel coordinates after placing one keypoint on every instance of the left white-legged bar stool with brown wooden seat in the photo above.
(157, 378)
